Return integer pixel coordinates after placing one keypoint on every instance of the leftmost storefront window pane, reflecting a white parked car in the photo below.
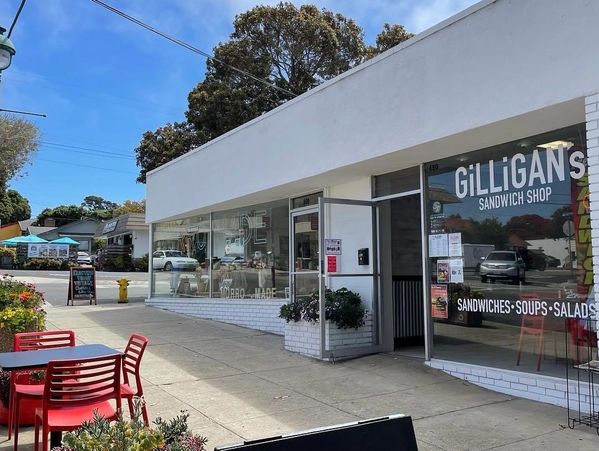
(180, 258)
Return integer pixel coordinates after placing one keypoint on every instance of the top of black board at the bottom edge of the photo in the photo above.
(392, 433)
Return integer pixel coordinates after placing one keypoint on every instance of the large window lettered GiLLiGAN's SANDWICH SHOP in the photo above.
(510, 253)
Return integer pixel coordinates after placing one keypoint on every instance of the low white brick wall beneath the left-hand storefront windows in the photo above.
(259, 314)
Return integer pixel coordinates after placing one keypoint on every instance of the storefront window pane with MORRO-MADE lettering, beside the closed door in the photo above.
(250, 252)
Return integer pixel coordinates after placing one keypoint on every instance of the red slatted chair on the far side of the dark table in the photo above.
(31, 341)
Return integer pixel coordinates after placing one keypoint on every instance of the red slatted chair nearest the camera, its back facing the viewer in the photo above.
(68, 402)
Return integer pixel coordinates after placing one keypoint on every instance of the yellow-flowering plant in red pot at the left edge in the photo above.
(20, 311)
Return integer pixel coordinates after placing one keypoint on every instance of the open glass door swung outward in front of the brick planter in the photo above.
(348, 244)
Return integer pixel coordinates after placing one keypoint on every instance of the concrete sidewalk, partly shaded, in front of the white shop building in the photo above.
(240, 384)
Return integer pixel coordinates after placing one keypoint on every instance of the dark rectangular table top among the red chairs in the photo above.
(40, 358)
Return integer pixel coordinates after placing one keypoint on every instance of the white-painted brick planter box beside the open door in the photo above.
(304, 337)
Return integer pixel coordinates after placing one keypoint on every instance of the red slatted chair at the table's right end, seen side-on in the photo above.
(131, 363)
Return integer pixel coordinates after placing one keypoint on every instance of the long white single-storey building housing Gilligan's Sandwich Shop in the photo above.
(480, 131)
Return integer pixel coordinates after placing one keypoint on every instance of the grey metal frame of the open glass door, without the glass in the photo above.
(377, 345)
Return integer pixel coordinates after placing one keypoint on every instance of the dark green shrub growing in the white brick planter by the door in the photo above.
(342, 307)
